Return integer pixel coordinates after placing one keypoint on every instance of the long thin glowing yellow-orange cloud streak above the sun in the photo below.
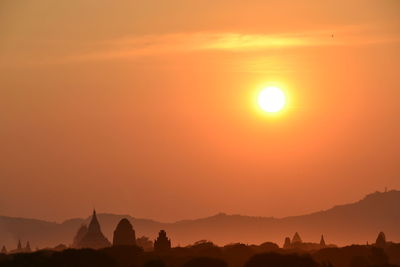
(229, 42)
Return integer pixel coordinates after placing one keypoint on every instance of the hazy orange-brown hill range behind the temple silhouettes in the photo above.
(357, 222)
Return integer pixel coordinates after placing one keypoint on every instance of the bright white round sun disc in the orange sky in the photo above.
(271, 99)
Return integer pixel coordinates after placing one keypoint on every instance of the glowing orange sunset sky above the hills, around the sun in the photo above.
(148, 107)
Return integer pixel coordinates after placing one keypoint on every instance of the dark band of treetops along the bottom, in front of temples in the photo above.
(206, 254)
